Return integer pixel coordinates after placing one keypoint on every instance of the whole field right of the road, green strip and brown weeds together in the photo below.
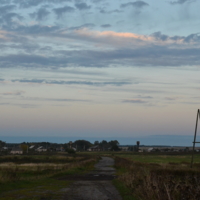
(159, 177)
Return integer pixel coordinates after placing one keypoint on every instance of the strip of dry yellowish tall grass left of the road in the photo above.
(31, 171)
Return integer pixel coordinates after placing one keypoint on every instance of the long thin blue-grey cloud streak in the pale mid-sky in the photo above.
(88, 83)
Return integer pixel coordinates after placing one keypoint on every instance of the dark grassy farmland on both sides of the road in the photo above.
(140, 176)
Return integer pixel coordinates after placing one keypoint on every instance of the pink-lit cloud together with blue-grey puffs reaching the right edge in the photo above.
(126, 39)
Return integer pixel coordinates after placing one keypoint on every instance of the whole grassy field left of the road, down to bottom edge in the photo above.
(37, 177)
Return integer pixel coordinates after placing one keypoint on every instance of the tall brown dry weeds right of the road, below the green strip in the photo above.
(159, 182)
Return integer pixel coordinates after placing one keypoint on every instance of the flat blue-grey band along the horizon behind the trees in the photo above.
(171, 140)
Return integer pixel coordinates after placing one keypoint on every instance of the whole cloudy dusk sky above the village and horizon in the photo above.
(100, 69)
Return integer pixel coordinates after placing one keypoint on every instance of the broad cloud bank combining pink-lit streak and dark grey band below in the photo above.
(106, 48)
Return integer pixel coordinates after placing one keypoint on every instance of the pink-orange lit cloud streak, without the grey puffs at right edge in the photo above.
(120, 38)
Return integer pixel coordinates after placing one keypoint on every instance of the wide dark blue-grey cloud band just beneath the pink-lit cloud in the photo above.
(151, 55)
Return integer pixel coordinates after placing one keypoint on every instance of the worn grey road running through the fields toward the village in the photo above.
(96, 185)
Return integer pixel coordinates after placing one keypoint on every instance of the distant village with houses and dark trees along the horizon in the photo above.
(83, 145)
